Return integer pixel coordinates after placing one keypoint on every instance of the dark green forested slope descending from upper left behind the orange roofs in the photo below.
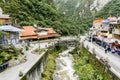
(43, 13)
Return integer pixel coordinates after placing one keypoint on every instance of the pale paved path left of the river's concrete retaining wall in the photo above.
(13, 72)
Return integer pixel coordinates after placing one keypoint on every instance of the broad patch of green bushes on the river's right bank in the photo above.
(88, 67)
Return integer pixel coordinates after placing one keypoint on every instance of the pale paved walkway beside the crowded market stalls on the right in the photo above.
(114, 60)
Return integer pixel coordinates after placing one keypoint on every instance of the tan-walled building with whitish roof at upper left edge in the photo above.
(4, 18)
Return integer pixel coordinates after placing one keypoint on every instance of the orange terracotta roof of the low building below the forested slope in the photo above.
(32, 33)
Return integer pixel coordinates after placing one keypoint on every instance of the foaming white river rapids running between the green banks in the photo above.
(64, 67)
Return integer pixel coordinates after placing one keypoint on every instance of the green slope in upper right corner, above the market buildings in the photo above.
(111, 9)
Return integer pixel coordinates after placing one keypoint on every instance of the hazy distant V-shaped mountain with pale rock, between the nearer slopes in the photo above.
(81, 12)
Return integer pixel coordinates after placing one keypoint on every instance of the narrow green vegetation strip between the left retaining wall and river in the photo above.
(50, 65)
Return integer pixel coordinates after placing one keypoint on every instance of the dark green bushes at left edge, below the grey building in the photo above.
(7, 53)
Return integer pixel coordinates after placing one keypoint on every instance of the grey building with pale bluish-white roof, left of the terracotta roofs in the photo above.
(11, 36)
